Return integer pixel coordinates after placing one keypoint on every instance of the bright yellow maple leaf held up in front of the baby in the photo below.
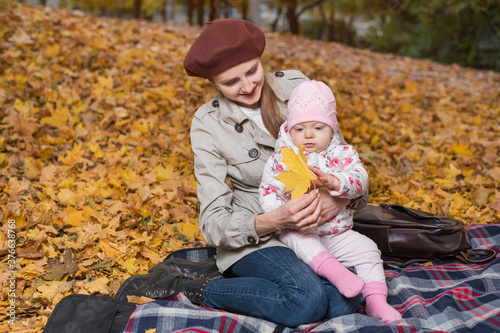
(298, 178)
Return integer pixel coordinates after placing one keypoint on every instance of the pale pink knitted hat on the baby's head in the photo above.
(312, 101)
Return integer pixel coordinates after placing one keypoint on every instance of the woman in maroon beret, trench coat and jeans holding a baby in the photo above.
(232, 137)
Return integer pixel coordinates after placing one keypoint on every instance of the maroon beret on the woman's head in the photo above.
(223, 44)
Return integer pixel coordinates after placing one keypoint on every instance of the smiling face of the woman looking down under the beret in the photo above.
(242, 83)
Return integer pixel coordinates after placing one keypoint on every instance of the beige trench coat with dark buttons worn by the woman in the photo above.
(227, 144)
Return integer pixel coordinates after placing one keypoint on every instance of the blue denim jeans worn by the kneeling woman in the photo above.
(274, 284)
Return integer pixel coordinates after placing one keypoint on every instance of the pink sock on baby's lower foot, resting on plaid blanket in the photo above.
(375, 294)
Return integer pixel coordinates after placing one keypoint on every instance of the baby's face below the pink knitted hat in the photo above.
(315, 136)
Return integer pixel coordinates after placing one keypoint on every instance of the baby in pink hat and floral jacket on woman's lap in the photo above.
(333, 247)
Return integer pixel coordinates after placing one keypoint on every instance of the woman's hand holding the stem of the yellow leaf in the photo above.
(300, 213)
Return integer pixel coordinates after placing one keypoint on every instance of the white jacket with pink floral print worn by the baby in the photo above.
(340, 160)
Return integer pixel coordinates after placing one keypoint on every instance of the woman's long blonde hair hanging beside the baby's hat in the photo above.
(270, 110)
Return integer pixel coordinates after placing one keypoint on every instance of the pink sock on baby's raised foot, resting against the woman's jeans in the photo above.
(326, 265)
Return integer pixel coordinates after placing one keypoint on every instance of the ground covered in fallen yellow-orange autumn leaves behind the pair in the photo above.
(96, 166)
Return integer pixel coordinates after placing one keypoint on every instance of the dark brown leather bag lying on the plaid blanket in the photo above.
(406, 235)
